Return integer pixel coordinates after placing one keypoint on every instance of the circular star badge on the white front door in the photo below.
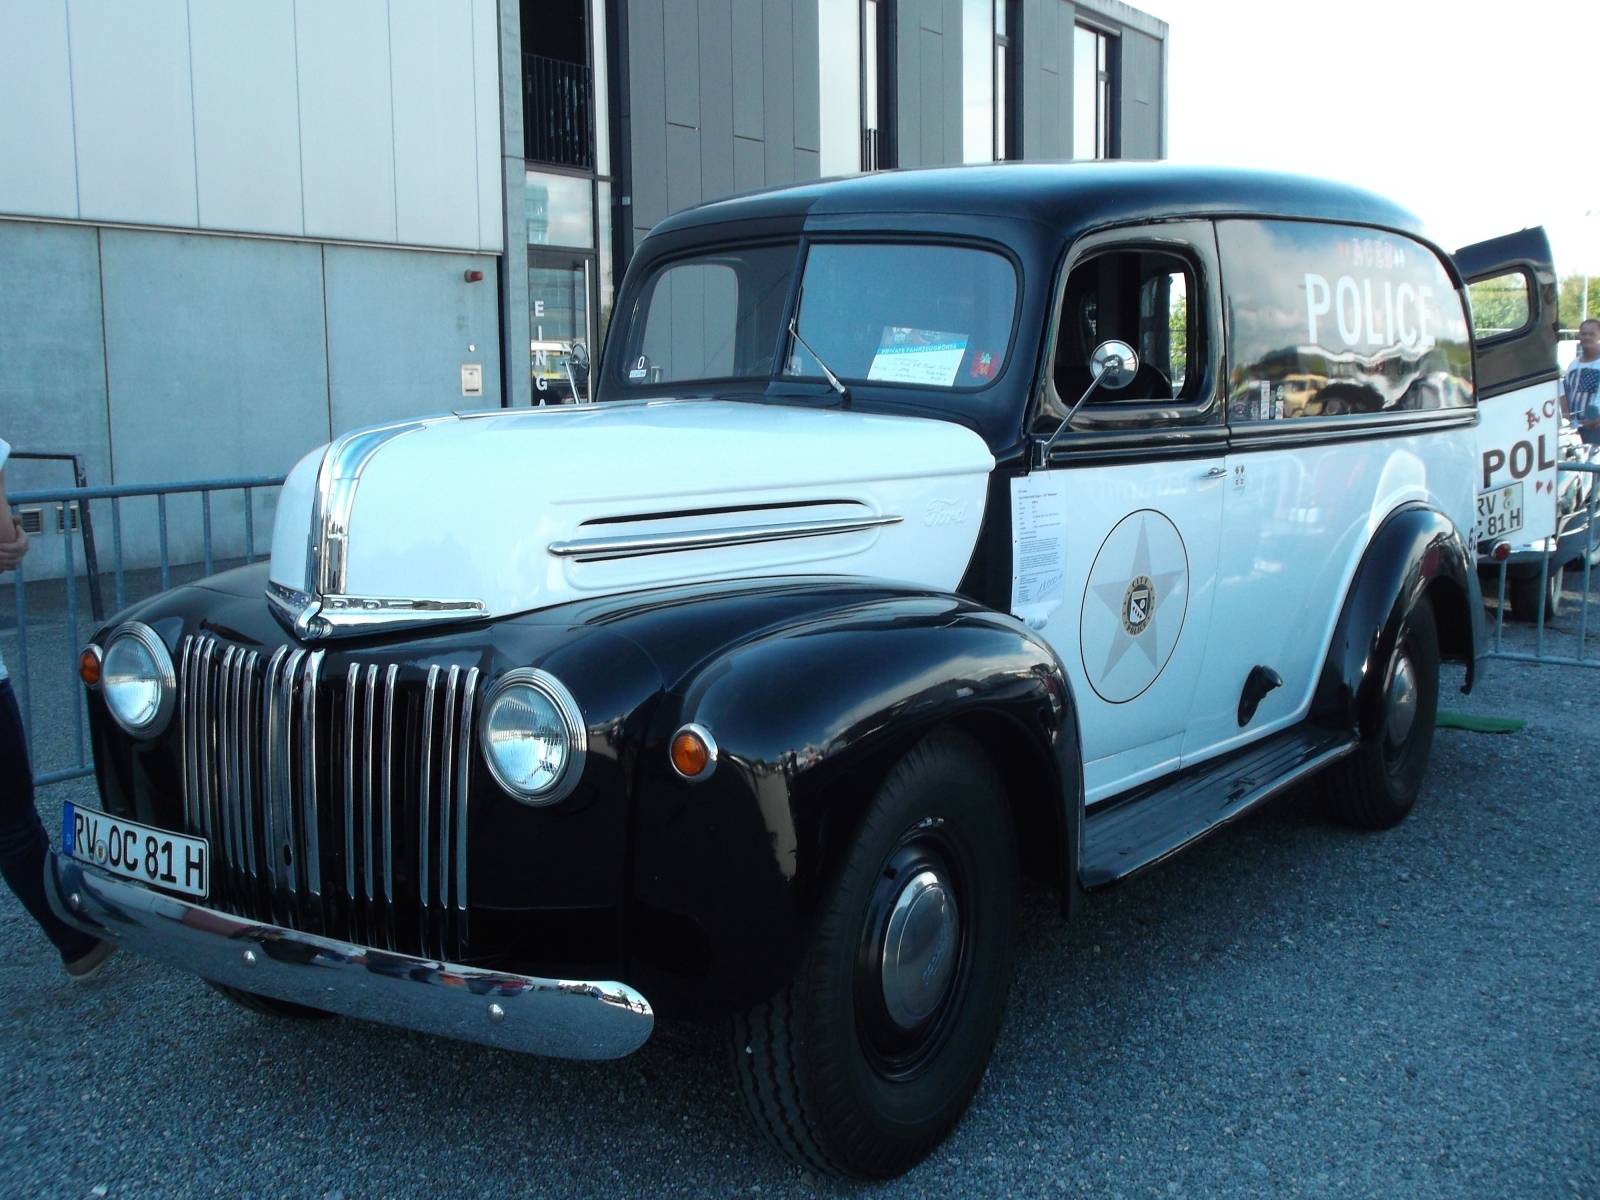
(1134, 606)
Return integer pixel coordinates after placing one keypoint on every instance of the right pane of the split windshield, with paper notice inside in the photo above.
(905, 314)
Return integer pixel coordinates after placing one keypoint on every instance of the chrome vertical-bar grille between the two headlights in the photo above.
(335, 801)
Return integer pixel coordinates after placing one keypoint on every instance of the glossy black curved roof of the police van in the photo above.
(1071, 198)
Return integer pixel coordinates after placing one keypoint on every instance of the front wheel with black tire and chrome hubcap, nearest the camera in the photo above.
(830, 1076)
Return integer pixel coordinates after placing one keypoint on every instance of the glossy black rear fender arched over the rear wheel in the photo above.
(1417, 553)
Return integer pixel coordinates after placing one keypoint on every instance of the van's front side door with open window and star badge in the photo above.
(1116, 537)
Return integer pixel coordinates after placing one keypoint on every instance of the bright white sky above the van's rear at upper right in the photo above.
(1473, 116)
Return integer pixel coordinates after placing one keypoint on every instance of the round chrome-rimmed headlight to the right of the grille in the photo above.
(534, 737)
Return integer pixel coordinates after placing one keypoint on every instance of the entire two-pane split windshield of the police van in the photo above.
(876, 313)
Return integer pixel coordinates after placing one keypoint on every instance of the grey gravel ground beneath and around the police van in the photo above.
(1290, 1009)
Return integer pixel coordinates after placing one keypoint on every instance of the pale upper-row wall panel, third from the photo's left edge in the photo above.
(247, 116)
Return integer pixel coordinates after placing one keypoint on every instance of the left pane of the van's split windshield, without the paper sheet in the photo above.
(711, 318)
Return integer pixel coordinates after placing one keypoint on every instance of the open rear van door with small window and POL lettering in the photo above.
(1511, 282)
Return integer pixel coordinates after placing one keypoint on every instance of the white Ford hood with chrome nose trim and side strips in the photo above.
(489, 514)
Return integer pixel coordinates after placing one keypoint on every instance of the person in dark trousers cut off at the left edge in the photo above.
(23, 842)
